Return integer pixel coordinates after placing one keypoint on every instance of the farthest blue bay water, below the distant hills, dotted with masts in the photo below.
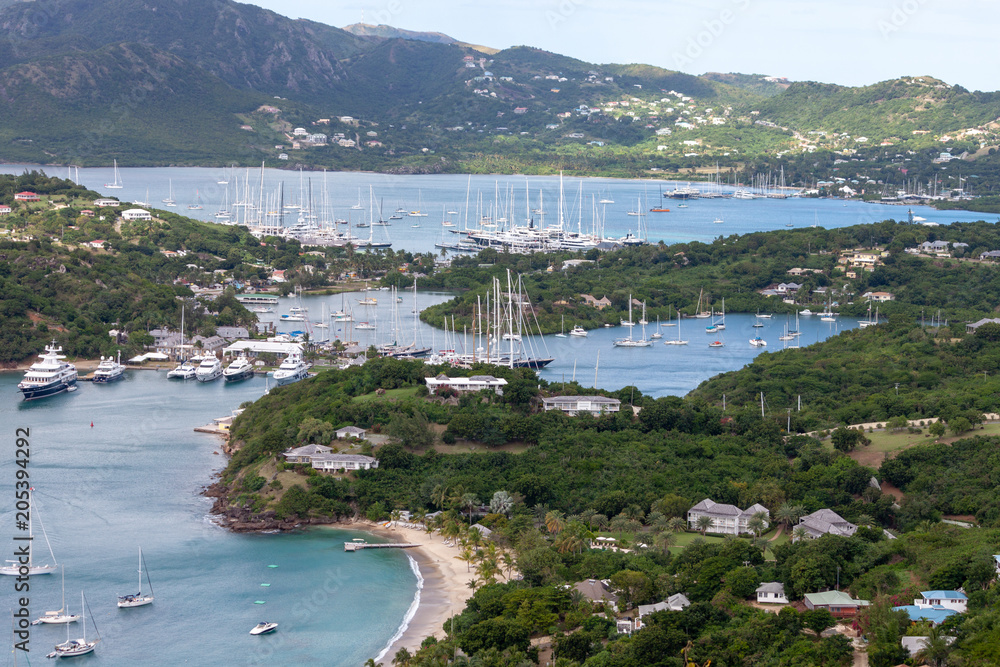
(436, 193)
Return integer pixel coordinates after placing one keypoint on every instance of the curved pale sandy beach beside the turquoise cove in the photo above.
(445, 588)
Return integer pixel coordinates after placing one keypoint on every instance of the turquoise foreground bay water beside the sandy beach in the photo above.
(134, 479)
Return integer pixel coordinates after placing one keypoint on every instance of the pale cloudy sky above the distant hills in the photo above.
(850, 42)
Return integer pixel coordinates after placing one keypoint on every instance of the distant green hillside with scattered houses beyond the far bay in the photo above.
(419, 102)
